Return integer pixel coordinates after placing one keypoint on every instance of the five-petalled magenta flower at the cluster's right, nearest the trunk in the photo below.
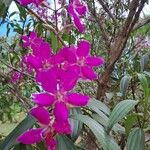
(80, 60)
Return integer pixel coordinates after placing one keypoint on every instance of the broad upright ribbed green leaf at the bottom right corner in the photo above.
(136, 139)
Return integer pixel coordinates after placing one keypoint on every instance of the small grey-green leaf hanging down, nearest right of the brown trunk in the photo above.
(124, 83)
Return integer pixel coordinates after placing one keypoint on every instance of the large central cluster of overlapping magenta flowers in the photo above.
(57, 74)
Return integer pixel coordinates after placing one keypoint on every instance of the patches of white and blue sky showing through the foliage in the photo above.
(13, 8)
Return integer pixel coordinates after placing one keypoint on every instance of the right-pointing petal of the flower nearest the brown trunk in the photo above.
(94, 61)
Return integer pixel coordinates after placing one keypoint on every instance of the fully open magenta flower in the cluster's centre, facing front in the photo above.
(57, 83)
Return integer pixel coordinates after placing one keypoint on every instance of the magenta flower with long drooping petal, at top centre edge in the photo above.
(76, 9)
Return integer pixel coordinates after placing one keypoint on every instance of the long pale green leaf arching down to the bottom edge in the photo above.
(98, 130)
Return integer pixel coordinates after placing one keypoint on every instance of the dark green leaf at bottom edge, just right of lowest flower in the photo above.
(64, 143)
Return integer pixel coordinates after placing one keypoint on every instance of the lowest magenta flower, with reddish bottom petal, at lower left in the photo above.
(45, 133)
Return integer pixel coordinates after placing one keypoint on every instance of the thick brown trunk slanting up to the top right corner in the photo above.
(119, 43)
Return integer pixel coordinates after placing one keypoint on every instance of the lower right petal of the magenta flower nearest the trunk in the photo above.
(88, 73)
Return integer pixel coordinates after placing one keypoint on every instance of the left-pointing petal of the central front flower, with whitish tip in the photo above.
(43, 99)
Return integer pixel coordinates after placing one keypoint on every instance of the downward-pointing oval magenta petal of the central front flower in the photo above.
(61, 112)
